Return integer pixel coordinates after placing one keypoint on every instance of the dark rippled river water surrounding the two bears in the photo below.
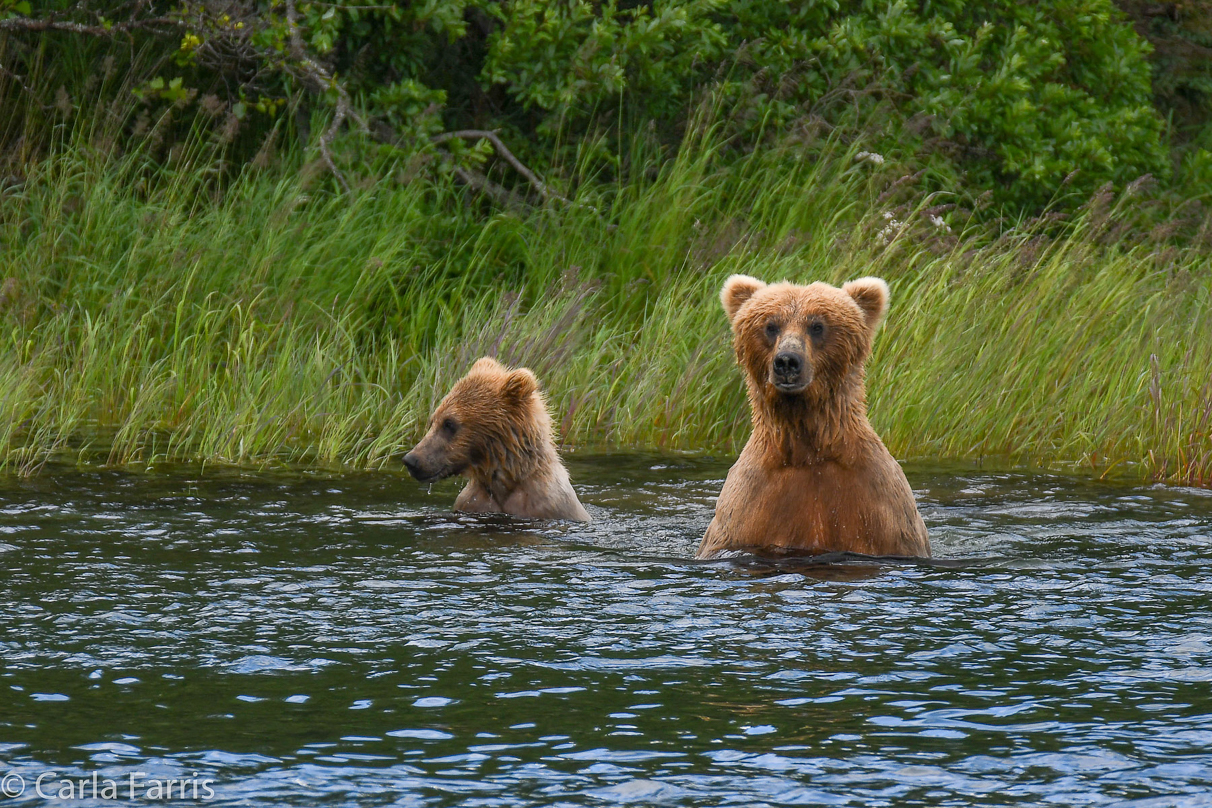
(306, 640)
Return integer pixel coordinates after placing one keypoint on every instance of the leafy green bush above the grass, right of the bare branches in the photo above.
(1016, 98)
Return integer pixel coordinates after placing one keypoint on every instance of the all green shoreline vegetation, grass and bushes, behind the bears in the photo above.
(275, 234)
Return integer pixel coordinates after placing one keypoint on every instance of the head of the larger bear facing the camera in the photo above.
(796, 341)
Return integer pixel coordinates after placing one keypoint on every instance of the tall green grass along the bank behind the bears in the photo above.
(147, 318)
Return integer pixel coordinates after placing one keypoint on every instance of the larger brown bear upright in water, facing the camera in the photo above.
(814, 478)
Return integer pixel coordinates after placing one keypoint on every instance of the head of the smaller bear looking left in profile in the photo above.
(489, 415)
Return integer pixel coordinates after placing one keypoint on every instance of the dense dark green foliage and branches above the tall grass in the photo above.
(1038, 104)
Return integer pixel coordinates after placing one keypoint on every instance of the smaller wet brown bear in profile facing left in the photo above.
(494, 428)
